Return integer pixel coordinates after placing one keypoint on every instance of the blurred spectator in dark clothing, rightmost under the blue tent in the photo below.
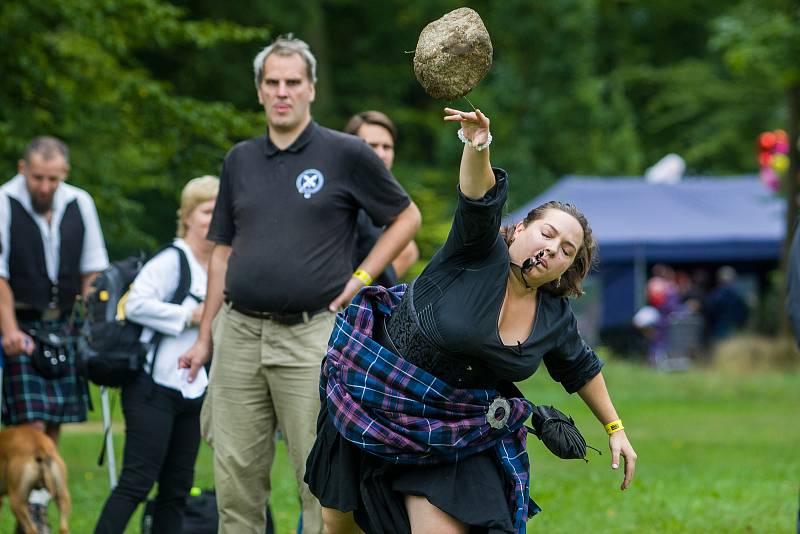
(725, 308)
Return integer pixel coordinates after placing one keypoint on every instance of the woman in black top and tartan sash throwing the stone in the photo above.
(421, 427)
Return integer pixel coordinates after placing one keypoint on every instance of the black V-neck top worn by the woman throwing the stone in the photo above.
(458, 297)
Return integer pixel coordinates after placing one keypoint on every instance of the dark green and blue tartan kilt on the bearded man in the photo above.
(27, 396)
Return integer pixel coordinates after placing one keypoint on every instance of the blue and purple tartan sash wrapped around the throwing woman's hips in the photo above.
(390, 408)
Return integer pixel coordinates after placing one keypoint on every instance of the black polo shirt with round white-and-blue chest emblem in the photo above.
(290, 216)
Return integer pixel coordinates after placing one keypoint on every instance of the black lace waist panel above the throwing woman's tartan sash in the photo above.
(413, 345)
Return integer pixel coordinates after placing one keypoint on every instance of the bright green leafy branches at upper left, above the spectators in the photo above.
(133, 140)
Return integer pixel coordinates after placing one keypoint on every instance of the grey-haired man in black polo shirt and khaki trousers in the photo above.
(284, 227)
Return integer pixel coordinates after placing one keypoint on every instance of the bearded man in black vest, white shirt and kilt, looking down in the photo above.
(52, 248)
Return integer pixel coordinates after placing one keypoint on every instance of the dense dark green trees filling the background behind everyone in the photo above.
(150, 93)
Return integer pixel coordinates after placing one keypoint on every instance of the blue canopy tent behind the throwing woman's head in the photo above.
(697, 220)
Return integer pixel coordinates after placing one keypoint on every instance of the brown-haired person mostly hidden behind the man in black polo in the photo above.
(380, 133)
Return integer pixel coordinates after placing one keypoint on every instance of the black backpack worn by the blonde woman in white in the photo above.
(111, 353)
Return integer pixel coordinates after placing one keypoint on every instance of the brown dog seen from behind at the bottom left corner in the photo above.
(29, 460)
